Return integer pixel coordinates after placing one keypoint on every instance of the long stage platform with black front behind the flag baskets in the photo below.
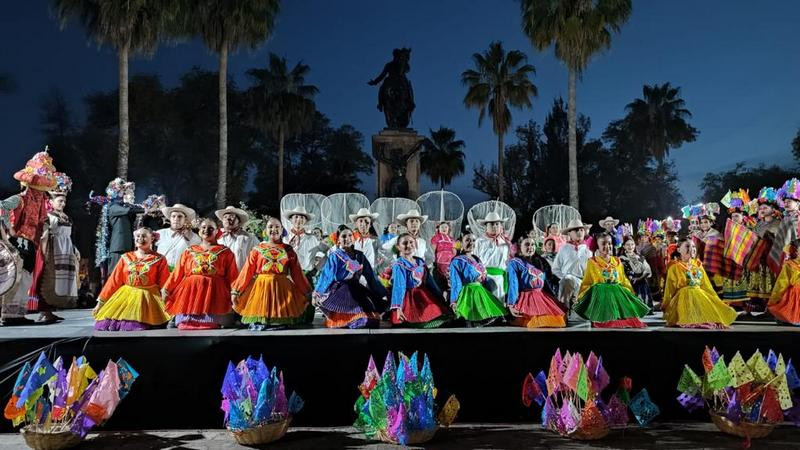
(181, 371)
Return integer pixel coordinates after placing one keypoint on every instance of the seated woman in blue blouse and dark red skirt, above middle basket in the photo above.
(416, 300)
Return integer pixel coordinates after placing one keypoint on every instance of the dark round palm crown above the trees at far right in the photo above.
(658, 121)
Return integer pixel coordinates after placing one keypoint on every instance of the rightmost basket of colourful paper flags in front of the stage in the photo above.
(745, 398)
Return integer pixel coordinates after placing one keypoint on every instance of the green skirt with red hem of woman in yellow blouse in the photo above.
(609, 305)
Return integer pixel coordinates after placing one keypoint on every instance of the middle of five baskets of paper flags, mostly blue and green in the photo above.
(397, 405)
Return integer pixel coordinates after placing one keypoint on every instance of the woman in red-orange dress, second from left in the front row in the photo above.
(198, 291)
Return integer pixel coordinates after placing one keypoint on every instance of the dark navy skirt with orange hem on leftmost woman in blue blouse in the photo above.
(350, 304)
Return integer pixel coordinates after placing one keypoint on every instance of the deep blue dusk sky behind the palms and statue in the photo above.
(737, 64)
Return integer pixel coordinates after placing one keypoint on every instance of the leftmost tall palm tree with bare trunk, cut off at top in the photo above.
(131, 27)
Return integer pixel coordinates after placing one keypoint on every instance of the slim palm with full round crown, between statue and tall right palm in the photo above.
(499, 81)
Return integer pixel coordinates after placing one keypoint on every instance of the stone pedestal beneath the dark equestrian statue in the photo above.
(395, 147)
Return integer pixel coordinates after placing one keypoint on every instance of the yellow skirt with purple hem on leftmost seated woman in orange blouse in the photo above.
(132, 309)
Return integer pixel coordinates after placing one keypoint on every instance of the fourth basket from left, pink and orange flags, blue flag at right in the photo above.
(572, 405)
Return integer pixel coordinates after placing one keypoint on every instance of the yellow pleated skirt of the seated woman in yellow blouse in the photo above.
(693, 307)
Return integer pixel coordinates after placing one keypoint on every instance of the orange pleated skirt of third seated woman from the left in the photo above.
(272, 299)
